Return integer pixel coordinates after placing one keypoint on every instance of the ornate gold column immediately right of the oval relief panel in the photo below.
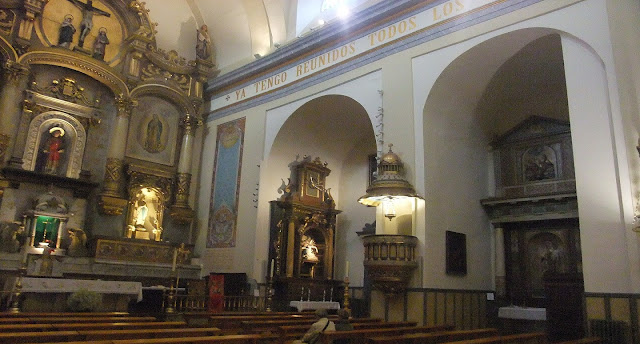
(181, 211)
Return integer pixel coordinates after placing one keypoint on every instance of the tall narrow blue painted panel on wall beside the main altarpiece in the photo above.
(223, 209)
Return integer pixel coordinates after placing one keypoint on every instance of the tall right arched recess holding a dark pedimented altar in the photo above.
(484, 98)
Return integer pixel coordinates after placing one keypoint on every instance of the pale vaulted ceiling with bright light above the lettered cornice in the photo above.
(242, 28)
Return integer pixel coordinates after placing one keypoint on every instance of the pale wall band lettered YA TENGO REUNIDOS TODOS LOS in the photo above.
(430, 17)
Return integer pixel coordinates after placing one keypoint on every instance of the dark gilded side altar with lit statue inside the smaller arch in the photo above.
(302, 238)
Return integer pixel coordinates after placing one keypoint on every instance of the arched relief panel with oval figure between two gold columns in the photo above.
(153, 131)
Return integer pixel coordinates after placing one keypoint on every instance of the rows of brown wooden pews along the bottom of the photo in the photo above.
(254, 328)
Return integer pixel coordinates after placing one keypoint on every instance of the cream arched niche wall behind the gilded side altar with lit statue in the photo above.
(337, 129)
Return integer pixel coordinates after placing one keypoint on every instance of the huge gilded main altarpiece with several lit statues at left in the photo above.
(94, 111)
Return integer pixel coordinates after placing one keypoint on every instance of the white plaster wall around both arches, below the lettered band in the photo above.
(407, 85)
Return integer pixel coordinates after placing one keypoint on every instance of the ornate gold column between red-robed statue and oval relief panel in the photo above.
(111, 200)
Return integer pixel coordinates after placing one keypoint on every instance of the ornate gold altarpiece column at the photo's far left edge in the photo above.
(15, 81)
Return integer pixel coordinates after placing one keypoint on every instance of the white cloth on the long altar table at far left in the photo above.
(63, 285)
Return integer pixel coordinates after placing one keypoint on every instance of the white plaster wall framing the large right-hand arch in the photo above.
(602, 204)
